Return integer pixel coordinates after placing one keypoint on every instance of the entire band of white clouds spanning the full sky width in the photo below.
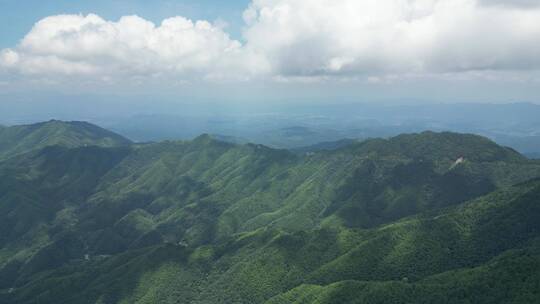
(288, 39)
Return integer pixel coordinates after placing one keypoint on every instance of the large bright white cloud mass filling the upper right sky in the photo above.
(314, 37)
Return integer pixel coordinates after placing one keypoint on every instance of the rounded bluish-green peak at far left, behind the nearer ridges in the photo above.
(20, 139)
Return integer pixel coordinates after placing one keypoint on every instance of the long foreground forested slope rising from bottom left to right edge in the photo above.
(486, 250)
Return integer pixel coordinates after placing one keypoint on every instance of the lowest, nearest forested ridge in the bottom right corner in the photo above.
(510, 278)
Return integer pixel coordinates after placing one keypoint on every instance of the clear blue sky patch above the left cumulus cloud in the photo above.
(18, 16)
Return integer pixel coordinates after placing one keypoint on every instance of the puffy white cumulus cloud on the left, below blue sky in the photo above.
(91, 46)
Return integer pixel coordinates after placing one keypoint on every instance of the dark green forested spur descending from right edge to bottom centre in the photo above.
(485, 251)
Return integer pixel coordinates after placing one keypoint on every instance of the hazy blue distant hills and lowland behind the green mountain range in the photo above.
(290, 127)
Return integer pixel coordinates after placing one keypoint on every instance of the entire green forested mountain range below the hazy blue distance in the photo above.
(417, 218)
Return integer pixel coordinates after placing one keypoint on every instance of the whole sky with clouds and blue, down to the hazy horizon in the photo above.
(271, 50)
